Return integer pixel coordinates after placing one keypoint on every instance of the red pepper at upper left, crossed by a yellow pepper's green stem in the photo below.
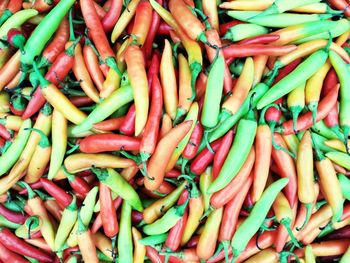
(57, 72)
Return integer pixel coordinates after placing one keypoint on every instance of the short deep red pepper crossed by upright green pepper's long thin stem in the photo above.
(204, 158)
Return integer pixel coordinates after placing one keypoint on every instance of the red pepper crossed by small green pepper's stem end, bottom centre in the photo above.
(173, 240)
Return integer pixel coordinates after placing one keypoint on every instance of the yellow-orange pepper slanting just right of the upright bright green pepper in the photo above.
(240, 90)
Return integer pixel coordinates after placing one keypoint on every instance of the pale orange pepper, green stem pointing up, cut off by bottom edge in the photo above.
(85, 242)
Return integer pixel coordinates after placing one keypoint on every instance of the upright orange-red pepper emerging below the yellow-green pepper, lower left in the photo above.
(108, 213)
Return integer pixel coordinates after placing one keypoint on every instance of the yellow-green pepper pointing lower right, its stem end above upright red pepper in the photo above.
(120, 186)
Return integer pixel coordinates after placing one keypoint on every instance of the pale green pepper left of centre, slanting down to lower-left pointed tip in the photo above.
(116, 100)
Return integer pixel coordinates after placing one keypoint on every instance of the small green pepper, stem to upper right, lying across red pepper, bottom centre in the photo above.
(167, 221)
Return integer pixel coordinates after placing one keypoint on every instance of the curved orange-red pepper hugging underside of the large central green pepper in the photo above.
(223, 196)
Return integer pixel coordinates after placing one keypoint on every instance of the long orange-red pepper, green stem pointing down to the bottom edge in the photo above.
(230, 216)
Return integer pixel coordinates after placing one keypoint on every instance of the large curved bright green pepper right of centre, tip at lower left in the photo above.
(238, 153)
